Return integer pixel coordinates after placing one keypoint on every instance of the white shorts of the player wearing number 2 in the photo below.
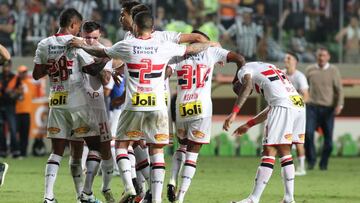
(149, 125)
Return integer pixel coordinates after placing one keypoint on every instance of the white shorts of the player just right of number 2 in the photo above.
(198, 130)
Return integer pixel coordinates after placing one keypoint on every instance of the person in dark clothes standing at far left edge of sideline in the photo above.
(7, 112)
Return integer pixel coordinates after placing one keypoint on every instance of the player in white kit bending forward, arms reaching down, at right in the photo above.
(285, 122)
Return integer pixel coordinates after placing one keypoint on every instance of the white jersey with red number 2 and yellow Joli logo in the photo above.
(145, 63)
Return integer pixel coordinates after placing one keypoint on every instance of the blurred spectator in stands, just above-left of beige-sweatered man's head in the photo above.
(300, 46)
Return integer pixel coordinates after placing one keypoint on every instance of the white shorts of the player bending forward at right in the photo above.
(284, 126)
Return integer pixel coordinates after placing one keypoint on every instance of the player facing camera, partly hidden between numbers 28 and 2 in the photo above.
(95, 96)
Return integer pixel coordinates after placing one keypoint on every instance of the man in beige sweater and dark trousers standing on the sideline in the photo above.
(326, 99)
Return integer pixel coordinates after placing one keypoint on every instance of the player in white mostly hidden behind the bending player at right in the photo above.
(300, 83)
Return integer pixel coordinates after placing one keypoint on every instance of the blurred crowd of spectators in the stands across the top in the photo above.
(258, 29)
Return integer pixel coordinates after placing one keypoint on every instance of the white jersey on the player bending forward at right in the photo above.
(272, 83)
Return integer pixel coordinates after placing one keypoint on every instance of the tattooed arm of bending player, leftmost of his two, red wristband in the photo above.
(244, 92)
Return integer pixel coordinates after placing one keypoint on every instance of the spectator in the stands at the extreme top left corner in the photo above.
(7, 26)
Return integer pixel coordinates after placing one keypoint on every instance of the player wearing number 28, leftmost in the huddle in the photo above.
(69, 113)
